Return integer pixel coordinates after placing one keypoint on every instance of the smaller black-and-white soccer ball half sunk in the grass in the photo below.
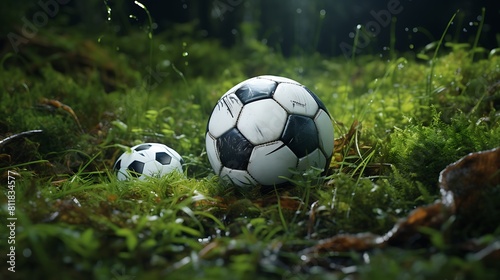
(147, 160)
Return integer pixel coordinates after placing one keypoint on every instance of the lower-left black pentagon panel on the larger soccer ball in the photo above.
(234, 149)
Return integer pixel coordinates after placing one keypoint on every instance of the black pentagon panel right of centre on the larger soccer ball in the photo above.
(300, 135)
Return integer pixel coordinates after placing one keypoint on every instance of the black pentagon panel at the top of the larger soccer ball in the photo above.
(256, 89)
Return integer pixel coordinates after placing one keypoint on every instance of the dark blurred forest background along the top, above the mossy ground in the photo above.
(292, 27)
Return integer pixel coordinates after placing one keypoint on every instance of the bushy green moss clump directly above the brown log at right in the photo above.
(419, 152)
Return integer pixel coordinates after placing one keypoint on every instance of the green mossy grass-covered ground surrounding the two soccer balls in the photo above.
(395, 132)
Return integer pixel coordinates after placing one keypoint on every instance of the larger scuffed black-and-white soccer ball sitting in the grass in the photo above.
(265, 126)
